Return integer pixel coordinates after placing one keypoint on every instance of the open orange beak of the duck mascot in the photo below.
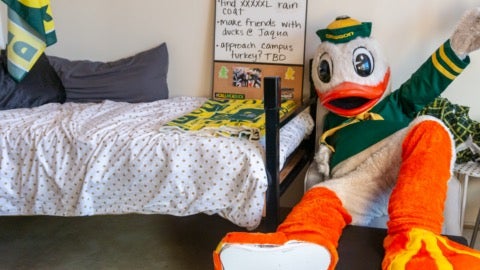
(350, 99)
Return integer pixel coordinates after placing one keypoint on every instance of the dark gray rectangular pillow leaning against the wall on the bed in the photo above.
(138, 78)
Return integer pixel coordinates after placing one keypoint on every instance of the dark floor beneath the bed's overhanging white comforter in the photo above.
(110, 242)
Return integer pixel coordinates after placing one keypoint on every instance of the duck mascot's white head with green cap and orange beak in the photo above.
(349, 72)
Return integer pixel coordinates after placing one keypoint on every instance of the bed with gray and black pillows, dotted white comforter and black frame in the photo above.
(81, 138)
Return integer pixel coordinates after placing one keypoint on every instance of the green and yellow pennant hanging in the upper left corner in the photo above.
(30, 31)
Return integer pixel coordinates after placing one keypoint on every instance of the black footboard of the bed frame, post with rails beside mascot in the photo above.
(280, 180)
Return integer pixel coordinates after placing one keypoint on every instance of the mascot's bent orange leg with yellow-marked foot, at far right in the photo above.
(417, 202)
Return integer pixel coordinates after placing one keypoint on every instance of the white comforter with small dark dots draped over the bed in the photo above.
(110, 158)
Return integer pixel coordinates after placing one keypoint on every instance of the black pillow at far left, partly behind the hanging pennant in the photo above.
(40, 86)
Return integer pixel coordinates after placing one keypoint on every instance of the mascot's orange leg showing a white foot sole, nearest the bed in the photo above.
(307, 239)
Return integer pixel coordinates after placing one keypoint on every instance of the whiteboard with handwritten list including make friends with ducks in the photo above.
(260, 31)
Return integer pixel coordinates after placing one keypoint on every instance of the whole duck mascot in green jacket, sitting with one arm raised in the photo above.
(376, 155)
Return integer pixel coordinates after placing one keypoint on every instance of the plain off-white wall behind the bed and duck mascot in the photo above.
(109, 29)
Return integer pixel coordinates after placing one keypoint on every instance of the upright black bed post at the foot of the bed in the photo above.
(272, 103)
